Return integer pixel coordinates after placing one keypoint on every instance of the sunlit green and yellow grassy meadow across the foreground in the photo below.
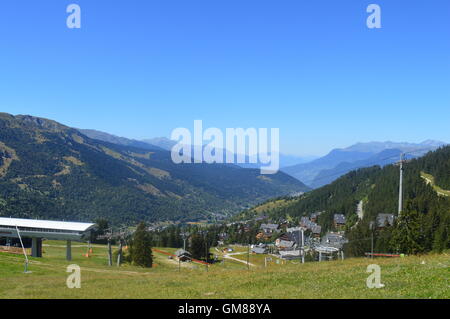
(426, 276)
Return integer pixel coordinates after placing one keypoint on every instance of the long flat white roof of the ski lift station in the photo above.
(45, 224)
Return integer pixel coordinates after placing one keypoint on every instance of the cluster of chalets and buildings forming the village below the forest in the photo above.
(286, 241)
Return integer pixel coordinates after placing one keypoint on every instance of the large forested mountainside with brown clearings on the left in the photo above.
(48, 170)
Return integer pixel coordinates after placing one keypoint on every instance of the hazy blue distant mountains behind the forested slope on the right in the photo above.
(338, 162)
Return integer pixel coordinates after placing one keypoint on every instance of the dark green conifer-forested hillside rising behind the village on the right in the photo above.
(425, 221)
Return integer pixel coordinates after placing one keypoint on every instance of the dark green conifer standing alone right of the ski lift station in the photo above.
(141, 250)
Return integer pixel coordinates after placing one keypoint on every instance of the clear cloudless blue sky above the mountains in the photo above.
(140, 68)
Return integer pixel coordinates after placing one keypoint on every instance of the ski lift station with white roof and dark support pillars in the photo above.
(36, 230)
